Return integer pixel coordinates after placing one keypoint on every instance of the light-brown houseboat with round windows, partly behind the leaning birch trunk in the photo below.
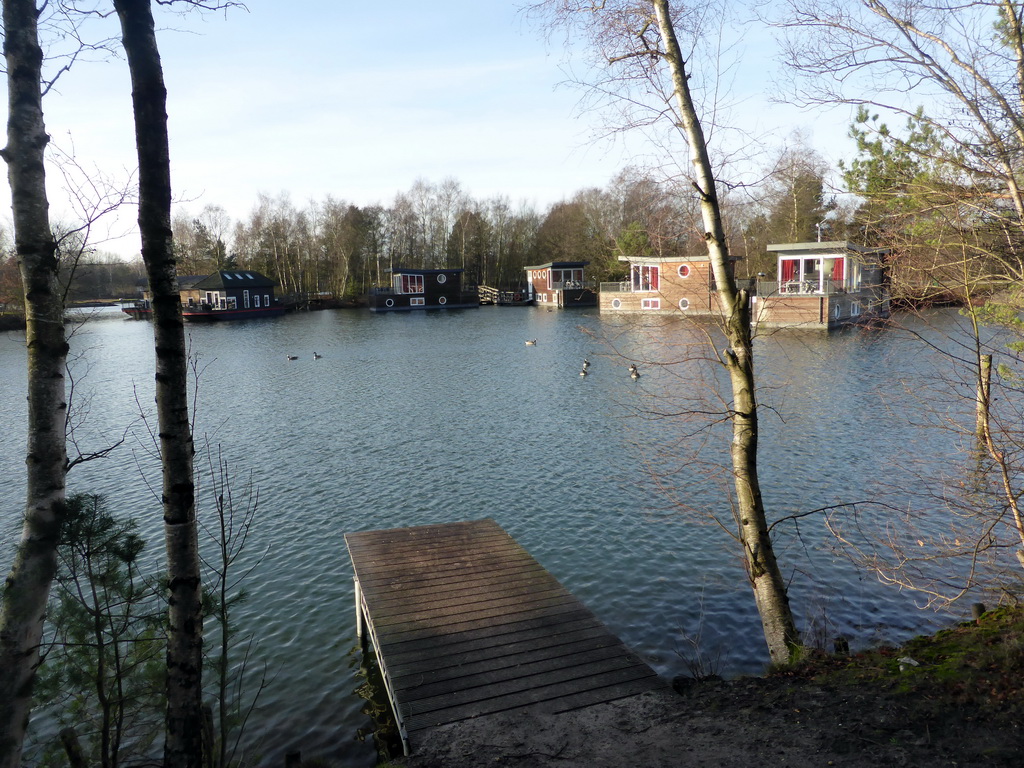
(665, 286)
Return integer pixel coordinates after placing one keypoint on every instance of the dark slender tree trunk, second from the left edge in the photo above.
(185, 649)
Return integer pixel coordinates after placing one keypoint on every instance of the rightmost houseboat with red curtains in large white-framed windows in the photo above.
(823, 285)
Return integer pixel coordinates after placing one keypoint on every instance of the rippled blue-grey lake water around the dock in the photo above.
(423, 418)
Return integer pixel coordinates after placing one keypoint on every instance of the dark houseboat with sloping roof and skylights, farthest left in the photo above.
(231, 294)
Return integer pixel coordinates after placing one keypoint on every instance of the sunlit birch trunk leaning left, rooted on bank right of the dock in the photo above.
(762, 569)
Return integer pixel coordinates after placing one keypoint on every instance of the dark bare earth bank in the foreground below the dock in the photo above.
(752, 722)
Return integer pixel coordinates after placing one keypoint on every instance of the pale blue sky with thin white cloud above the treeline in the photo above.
(359, 101)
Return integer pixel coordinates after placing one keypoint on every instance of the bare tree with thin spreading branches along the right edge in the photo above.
(955, 177)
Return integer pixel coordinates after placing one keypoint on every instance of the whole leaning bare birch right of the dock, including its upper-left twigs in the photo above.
(637, 40)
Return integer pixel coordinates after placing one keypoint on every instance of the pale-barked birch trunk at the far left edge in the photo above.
(27, 589)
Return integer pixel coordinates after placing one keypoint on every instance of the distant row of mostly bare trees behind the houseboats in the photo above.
(343, 250)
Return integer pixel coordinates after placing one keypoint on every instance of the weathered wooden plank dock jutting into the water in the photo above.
(466, 623)
